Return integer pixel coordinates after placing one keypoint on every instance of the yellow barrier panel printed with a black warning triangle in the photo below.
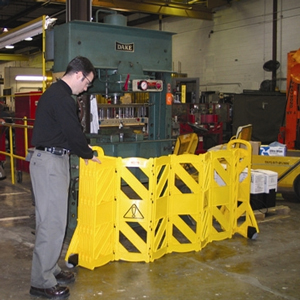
(134, 210)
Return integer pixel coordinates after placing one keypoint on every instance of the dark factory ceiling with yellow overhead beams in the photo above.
(15, 13)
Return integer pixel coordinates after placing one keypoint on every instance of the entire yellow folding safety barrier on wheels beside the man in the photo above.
(183, 203)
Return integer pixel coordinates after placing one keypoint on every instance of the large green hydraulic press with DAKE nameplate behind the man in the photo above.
(127, 60)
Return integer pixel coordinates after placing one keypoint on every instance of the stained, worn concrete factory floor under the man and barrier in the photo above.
(237, 268)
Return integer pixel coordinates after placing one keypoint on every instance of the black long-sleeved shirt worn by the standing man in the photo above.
(56, 122)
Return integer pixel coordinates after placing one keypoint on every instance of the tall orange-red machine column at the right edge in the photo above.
(290, 133)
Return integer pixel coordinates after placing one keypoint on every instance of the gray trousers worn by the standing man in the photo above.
(50, 182)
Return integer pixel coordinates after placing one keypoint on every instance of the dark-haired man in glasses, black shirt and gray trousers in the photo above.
(57, 130)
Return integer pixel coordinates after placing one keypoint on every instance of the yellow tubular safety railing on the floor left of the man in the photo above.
(11, 154)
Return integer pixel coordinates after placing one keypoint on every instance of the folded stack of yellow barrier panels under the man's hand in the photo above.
(94, 236)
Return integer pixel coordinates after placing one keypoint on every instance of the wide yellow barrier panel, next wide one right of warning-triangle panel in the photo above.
(184, 202)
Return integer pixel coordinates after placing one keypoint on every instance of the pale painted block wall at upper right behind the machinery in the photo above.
(228, 53)
